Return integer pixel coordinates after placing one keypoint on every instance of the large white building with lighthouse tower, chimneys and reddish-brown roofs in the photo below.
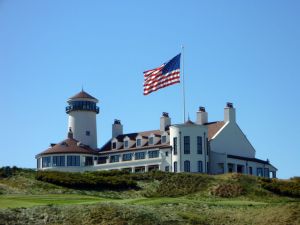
(198, 147)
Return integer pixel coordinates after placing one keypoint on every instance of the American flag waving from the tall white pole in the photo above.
(163, 76)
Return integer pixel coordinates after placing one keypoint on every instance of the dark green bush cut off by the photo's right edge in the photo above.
(282, 187)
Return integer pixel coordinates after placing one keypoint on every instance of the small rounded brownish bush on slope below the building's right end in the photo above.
(227, 190)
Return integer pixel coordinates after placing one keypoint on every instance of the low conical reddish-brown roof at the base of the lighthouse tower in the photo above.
(69, 145)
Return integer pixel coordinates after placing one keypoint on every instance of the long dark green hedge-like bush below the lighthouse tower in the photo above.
(87, 180)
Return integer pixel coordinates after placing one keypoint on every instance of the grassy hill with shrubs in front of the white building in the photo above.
(150, 198)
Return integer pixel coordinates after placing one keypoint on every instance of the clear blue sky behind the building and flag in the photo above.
(245, 52)
